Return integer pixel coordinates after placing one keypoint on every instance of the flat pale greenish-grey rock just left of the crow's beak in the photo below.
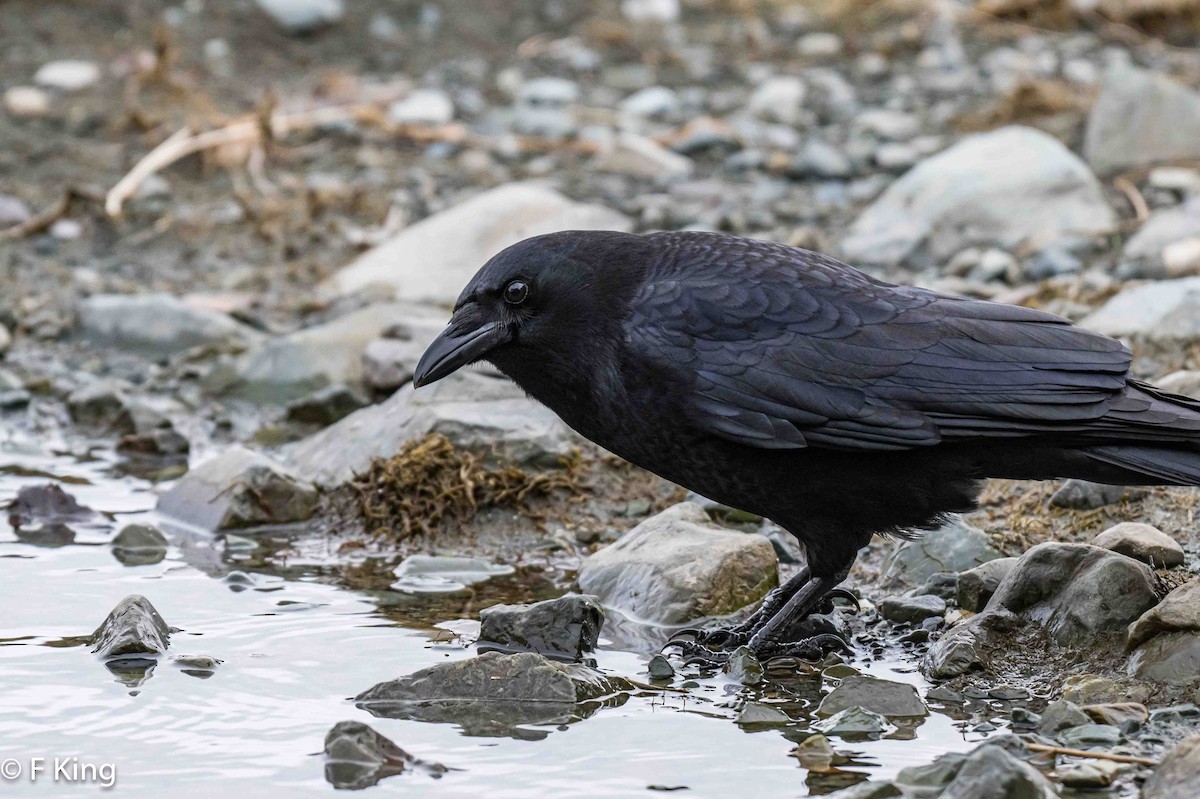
(328, 355)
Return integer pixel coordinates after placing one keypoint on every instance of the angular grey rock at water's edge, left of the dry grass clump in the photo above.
(239, 489)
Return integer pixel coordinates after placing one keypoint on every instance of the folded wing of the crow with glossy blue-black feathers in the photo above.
(787, 349)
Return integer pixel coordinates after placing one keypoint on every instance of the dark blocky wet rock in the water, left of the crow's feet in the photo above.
(567, 627)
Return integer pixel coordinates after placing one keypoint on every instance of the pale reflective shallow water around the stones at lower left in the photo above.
(295, 651)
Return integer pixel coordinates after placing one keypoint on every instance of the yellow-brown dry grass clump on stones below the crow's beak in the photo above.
(431, 483)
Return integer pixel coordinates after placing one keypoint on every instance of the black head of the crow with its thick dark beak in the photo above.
(544, 301)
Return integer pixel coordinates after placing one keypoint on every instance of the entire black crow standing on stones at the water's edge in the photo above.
(788, 385)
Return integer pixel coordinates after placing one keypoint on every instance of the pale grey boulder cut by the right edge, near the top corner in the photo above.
(1142, 118)
